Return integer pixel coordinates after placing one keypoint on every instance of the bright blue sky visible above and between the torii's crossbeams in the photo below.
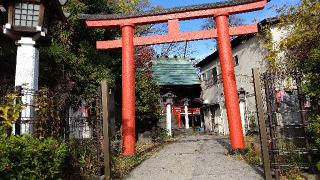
(204, 48)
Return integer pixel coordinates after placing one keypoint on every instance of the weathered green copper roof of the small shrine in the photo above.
(174, 72)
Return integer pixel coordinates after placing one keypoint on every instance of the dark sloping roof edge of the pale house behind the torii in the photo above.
(238, 41)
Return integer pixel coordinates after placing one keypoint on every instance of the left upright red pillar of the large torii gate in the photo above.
(128, 90)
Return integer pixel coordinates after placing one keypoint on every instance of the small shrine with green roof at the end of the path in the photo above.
(180, 91)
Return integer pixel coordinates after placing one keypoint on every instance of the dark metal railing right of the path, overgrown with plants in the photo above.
(287, 141)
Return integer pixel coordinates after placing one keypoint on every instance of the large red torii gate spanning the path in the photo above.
(220, 11)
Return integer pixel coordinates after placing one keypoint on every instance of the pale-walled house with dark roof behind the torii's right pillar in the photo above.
(248, 52)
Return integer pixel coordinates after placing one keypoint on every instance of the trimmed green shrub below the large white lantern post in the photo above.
(26, 157)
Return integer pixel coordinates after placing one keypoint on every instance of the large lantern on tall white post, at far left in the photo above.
(27, 21)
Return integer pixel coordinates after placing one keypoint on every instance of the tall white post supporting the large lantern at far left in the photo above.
(27, 74)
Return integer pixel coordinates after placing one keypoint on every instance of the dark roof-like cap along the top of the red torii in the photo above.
(167, 11)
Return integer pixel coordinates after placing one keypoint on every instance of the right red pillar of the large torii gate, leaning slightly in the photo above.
(229, 82)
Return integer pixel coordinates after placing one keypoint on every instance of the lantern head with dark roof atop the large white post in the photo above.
(30, 18)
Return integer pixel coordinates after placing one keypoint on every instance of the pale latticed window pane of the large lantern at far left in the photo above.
(26, 14)
